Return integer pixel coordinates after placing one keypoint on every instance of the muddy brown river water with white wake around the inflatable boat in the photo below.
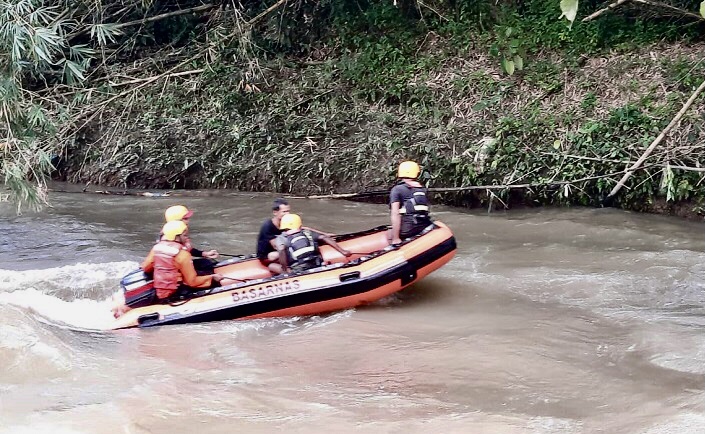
(546, 321)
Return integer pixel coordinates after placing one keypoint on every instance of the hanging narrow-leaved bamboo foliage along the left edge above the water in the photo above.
(33, 35)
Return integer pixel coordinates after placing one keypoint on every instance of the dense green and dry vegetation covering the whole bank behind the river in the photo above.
(325, 97)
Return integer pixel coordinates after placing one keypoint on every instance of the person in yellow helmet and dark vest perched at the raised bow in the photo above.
(409, 207)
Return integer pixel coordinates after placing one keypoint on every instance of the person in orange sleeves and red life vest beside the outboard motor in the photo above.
(171, 263)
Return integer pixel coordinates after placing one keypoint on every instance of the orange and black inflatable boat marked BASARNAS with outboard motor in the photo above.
(375, 270)
